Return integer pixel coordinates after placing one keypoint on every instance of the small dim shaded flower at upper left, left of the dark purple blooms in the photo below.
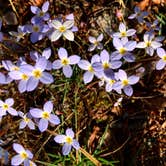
(19, 34)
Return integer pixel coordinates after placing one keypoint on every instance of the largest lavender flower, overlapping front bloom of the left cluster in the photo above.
(36, 74)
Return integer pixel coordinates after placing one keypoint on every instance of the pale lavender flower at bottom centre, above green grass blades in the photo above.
(68, 141)
